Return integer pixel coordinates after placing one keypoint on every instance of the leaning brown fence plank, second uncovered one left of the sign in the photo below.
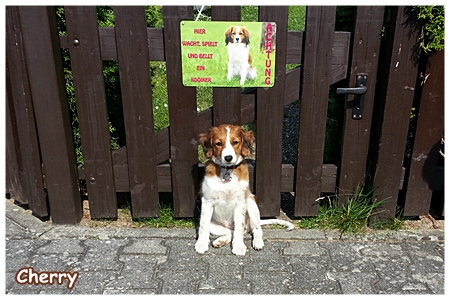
(89, 86)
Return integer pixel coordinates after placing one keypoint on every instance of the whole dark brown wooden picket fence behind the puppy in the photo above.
(40, 158)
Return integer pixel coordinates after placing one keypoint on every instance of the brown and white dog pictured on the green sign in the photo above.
(237, 39)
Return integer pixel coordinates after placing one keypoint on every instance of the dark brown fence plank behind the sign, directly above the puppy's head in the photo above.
(226, 101)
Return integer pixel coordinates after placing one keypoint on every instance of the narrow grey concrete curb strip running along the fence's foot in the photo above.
(35, 228)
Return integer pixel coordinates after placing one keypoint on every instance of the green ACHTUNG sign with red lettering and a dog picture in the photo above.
(228, 54)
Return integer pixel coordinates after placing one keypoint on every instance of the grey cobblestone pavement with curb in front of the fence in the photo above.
(163, 261)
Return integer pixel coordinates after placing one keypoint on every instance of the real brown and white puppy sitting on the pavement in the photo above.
(228, 206)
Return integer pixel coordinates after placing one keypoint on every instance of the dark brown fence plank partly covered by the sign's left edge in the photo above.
(182, 116)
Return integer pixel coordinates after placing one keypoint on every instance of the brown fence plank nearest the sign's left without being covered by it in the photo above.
(134, 70)
